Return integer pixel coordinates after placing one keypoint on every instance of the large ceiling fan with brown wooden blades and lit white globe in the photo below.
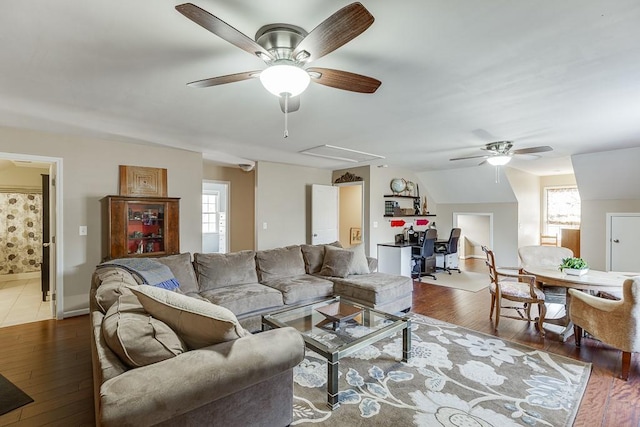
(287, 49)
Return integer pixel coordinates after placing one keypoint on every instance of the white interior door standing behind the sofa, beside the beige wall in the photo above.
(324, 214)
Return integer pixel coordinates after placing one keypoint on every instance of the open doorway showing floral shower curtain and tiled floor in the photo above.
(20, 286)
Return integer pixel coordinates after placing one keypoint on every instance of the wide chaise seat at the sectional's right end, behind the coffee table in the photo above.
(374, 288)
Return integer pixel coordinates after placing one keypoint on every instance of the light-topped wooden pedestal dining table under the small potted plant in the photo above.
(594, 280)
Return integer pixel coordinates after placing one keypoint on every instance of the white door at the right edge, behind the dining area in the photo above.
(623, 242)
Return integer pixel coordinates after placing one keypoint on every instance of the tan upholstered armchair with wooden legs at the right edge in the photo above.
(615, 323)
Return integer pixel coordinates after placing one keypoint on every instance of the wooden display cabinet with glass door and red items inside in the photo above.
(140, 226)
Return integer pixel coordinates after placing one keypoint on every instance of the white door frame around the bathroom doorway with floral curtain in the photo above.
(56, 211)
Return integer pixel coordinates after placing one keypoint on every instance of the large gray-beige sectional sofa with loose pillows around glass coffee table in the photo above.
(231, 377)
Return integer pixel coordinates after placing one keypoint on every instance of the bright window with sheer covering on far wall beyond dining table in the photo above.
(562, 205)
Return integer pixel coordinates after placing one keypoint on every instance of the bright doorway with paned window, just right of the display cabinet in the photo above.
(215, 216)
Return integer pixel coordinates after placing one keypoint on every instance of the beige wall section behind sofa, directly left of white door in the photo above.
(283, 202)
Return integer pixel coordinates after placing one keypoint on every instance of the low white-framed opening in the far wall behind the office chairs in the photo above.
(477, 231)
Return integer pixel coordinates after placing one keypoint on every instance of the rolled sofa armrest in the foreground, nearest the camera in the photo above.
(157, 392)
